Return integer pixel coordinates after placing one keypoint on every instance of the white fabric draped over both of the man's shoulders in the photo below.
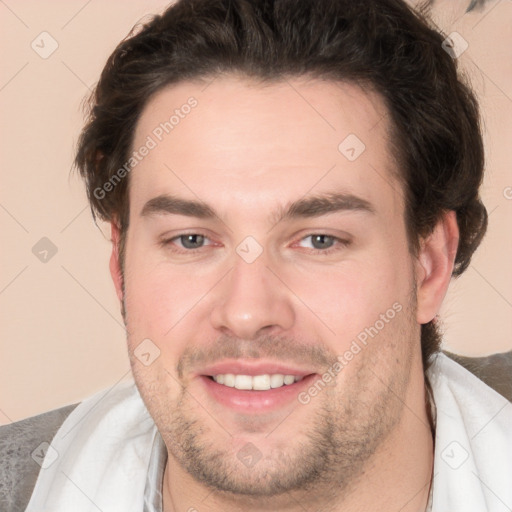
(105, 444)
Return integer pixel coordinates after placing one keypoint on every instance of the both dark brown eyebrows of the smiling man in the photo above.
(310, 206)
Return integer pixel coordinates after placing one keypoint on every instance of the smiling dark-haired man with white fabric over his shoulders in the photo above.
(291, 187)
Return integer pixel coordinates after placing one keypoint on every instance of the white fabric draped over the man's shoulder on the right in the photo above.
(473, 445)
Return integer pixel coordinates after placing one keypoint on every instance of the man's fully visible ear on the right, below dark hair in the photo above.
(434, 266)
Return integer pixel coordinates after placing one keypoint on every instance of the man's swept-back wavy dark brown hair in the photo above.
(379, 44)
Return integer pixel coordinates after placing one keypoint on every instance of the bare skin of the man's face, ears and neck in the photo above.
(364, 441)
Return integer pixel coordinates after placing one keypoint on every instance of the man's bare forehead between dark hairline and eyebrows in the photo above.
(233, 137)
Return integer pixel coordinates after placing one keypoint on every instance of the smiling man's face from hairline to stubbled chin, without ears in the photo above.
(255, 298)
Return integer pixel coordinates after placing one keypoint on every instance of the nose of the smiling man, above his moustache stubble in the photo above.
(252, 300)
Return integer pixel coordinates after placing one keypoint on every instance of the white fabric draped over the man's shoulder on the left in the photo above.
(103, 450)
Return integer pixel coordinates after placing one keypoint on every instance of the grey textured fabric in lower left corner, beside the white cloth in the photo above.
(20, 451)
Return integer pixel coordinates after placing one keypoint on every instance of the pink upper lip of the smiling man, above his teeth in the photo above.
(252, 368)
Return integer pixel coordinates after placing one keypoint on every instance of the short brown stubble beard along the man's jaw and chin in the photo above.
(347, 425)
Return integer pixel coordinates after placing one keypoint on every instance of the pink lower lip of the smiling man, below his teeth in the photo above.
(248, 401)
